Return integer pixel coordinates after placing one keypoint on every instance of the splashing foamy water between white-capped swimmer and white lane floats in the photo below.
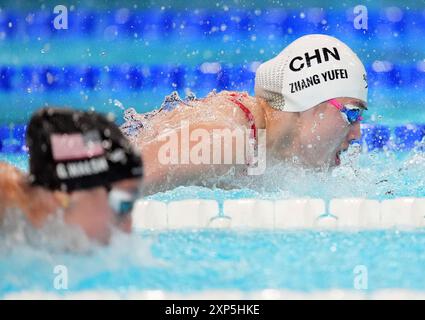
(376, 175)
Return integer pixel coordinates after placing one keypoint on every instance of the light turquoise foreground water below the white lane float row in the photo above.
(207, 260)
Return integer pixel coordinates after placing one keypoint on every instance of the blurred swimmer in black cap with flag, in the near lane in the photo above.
(80, 165)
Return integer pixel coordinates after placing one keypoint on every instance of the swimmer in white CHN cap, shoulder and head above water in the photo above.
(308, 101)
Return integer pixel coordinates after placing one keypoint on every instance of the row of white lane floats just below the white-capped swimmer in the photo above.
(290, 214)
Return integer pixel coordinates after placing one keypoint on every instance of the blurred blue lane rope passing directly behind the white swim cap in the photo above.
(138, 77)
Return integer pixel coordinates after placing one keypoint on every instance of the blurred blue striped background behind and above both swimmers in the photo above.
(134, 53)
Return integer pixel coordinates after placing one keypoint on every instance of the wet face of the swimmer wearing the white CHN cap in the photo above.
(325, 134)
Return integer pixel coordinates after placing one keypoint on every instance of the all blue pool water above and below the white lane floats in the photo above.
(116, 61)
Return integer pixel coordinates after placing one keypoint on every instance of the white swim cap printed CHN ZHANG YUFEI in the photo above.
(311, 70)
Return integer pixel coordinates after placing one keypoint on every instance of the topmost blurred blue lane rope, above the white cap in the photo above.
(163, 23)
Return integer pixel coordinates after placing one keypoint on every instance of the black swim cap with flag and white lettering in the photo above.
(73, 150)
